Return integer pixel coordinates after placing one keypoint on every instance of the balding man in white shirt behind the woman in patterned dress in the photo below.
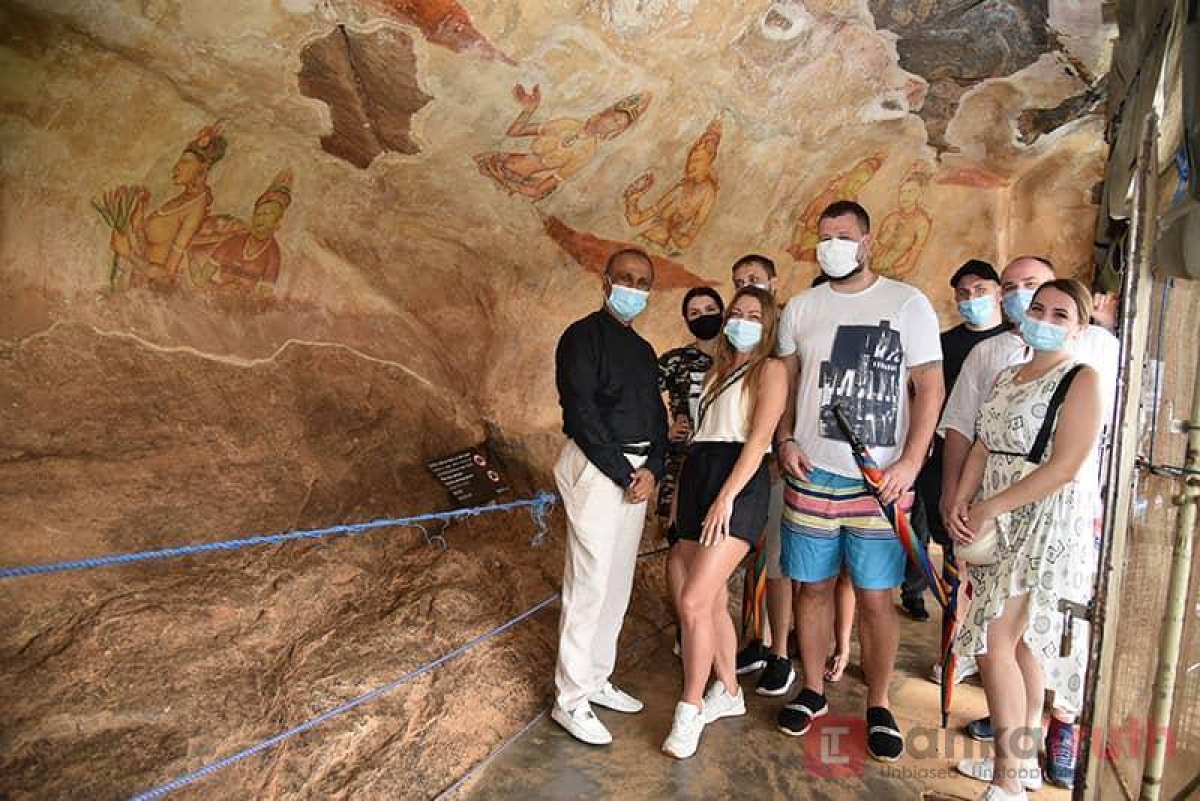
(1099, 350)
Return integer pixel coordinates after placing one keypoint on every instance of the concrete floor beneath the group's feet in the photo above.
(748, 757)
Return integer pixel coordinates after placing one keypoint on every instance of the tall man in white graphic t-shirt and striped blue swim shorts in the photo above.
(859, 342)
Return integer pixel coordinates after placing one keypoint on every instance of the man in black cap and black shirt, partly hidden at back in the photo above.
(977, 294)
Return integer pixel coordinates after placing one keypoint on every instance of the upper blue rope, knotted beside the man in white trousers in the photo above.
(538, 505)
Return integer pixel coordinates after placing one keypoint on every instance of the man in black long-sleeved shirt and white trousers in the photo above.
(608, 381)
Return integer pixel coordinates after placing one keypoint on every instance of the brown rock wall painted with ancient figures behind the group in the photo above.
(261, 262)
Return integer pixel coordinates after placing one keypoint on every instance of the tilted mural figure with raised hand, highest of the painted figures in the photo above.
(559, 148)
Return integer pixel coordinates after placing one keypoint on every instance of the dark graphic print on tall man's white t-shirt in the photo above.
(863, 376)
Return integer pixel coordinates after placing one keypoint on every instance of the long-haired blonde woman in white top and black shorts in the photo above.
(722, 508)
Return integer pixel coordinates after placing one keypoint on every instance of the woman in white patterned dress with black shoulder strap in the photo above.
(1013, 625)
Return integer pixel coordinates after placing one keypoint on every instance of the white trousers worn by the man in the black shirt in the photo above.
(603, 537)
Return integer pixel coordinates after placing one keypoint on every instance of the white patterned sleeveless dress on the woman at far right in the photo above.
(1040, 544)
